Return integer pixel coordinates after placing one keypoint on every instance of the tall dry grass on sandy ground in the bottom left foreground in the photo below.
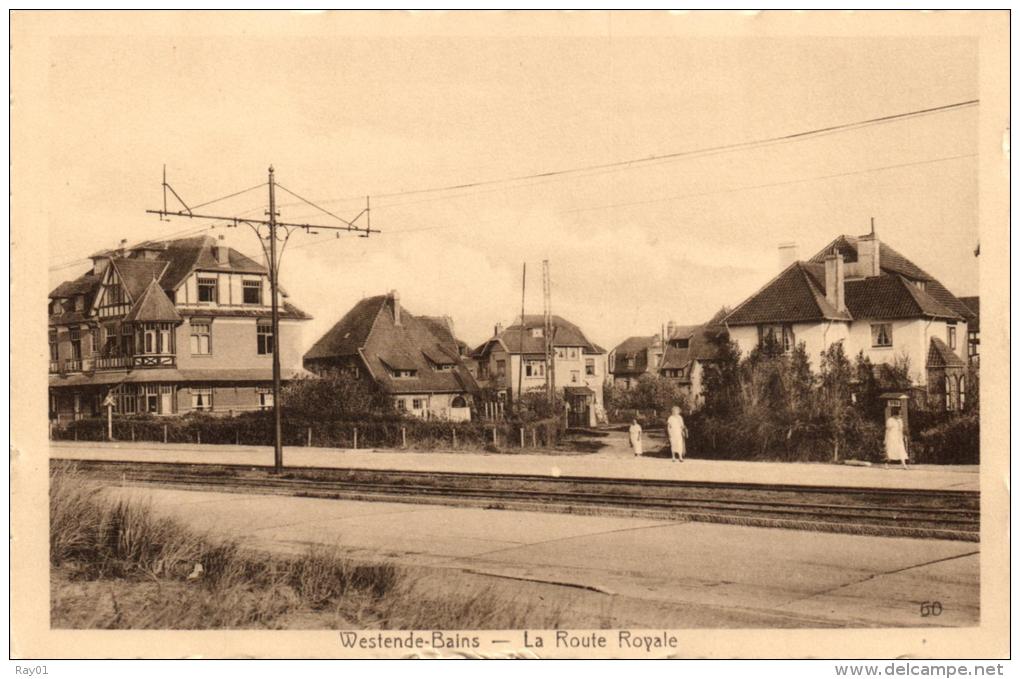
(118, 564)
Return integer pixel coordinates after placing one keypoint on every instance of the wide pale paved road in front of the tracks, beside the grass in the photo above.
(665, 573)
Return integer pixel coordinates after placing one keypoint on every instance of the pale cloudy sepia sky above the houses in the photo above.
(343, 116)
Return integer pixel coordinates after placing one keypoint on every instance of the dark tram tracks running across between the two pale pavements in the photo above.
(938, 514)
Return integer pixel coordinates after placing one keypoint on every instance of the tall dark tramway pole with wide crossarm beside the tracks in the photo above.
(273, 225)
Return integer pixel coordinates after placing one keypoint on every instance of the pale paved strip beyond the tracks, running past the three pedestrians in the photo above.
(608, 464)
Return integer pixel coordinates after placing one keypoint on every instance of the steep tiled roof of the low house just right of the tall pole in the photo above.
(370, 330)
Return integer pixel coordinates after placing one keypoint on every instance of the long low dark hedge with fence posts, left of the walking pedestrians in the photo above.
(258, 430)
